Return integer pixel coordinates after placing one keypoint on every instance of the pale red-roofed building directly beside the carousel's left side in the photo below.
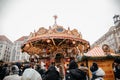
(16, 50)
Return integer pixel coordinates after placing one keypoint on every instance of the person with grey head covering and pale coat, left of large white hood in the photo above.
(14, 75)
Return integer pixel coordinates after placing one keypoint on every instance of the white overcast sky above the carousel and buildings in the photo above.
(92, 18)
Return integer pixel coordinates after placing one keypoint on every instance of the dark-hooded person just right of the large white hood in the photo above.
(52, 74)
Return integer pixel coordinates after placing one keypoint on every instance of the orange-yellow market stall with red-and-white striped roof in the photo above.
(105, 61)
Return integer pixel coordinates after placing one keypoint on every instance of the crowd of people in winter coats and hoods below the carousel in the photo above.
(74, 71)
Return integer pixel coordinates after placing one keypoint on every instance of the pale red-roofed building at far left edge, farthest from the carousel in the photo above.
(5, 48)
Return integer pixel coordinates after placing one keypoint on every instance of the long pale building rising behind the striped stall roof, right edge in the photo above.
(112, 37)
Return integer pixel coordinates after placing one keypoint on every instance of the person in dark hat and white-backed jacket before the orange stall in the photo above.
(97, 72)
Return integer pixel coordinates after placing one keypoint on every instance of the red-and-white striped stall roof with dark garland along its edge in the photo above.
(97, 53)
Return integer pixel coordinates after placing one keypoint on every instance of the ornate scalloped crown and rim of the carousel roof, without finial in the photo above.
(55, 33)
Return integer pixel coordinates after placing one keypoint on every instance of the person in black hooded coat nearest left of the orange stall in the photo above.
(73, 73)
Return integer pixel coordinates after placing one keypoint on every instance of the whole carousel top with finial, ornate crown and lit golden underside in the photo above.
(55, 39)
